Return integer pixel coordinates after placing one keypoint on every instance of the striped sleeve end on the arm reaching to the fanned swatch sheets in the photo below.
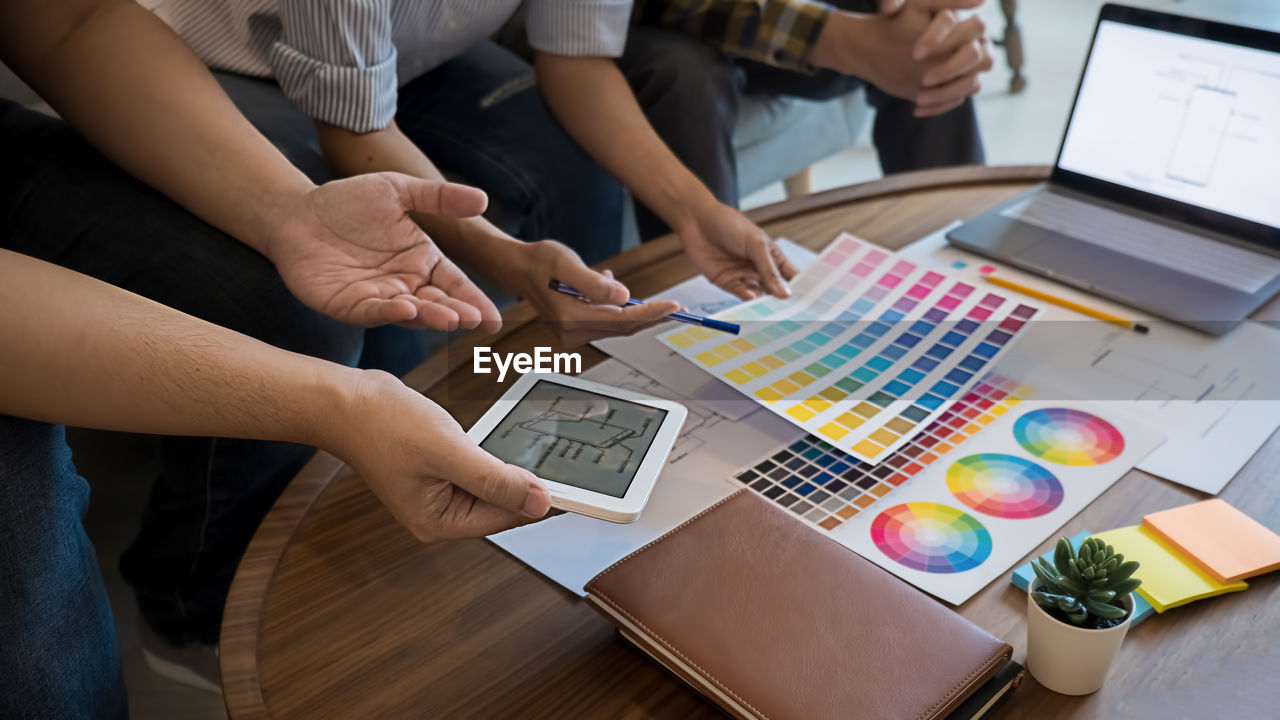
(579, 28)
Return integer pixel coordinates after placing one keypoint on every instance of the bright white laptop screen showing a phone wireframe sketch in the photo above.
(1185, 119)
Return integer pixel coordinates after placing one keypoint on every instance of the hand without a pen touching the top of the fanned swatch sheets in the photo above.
(734, 253)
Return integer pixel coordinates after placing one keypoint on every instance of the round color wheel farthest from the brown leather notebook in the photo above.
(1068, 438)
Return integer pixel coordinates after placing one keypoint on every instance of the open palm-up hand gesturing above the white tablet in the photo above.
(351, 250)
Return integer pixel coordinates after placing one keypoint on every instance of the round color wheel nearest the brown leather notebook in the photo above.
(931, 537)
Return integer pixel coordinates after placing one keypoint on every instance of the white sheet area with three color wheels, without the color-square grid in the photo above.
(967, 521)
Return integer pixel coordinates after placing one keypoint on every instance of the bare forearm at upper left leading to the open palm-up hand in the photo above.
(138, 93)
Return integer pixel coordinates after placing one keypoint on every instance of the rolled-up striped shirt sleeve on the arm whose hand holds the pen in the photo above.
(336, 61)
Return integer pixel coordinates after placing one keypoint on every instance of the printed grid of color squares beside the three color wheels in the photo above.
(817, 482)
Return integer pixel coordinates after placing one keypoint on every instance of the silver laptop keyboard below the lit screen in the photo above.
(1183, 252)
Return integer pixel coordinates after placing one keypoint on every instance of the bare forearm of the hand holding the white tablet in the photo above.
(81, 353)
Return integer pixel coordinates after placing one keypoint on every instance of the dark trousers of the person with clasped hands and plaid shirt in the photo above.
(691, 94)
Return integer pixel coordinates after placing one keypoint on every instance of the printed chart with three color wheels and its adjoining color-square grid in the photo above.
(981, 503)
